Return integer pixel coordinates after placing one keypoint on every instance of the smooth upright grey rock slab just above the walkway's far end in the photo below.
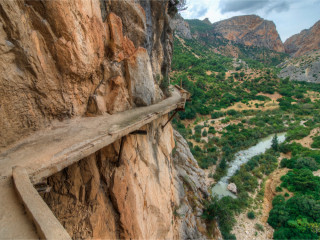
(140, 78)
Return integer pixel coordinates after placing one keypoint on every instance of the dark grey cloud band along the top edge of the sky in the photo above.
(252, 6)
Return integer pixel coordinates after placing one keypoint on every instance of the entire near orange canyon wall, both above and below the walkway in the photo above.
(82, 58)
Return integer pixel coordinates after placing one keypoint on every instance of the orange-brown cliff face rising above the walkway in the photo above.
(61, 59)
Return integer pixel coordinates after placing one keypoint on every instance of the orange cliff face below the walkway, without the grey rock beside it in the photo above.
(101, 197)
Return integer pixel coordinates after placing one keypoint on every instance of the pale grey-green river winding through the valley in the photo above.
(241, 157)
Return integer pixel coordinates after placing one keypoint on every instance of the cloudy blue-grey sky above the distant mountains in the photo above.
(290, 16)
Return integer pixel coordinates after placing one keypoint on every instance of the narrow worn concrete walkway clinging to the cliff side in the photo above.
(49, 151)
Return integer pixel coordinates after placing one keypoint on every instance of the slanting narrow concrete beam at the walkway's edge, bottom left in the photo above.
(47, 225)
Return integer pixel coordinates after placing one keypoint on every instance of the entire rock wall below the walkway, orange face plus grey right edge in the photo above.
(148, 194)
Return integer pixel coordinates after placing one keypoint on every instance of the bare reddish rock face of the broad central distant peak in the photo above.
(250, 30)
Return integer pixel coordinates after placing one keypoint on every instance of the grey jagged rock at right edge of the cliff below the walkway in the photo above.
(190, 190)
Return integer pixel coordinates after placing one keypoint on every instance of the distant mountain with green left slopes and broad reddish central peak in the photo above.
(255, 42)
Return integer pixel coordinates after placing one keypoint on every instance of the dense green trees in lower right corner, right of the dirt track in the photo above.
(299, 216)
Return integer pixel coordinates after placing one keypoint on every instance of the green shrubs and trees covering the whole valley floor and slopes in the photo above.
(232, 107)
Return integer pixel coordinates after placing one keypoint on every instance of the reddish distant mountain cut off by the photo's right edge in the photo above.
(303, 42)
